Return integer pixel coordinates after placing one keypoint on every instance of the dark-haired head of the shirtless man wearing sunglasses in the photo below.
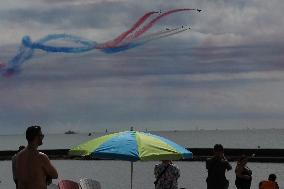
(34, 135)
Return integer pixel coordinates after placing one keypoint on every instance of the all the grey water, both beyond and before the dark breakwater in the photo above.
(116, 174)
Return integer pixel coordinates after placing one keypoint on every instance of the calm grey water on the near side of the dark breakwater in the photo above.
(116, 174)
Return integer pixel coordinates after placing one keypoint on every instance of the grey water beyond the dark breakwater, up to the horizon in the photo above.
(272, 138)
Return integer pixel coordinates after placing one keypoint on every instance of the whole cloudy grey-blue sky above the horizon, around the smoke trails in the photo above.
(226, 72)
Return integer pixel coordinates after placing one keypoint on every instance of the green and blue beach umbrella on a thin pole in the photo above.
(131, 146)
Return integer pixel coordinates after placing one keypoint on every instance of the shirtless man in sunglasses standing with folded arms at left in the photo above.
(33, 168)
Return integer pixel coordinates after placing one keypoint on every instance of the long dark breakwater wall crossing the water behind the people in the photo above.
(199, 154)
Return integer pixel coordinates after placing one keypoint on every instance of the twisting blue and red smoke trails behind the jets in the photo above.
(123, 42)
